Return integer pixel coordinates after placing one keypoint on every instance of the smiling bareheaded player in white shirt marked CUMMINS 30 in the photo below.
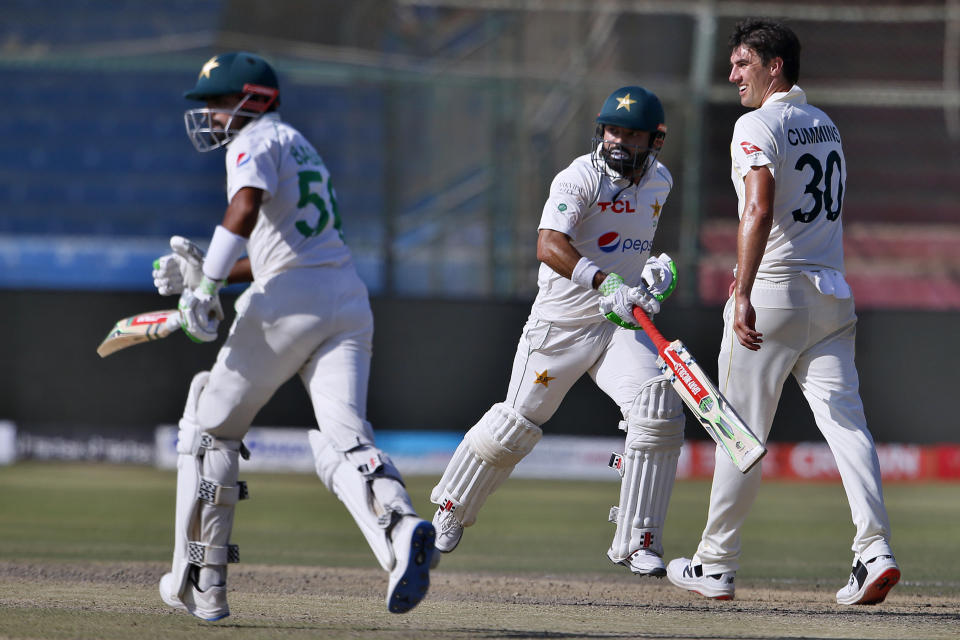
(791, 312)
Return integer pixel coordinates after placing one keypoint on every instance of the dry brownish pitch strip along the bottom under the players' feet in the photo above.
(101, 600)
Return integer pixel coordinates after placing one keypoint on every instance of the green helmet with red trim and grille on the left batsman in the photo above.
(240, 73)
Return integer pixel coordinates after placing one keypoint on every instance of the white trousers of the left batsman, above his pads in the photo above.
(315, 322)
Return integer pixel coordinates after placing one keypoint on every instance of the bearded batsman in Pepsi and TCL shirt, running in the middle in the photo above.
(594, 242)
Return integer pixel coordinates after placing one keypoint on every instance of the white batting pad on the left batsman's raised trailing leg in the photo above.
(368, 484)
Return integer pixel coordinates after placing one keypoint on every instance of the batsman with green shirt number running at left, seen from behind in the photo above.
(306, 312)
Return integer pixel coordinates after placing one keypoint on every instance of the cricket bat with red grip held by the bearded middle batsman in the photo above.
(703, 398)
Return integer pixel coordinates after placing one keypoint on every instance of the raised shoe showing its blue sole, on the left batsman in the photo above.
(413, 548)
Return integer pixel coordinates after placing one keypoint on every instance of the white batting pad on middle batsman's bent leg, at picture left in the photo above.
(485, 458)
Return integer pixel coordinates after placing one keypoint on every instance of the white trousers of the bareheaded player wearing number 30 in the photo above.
(810, 335)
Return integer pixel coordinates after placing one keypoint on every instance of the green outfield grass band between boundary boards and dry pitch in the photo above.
(56, 512)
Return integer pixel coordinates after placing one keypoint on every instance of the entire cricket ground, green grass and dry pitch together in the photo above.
(82, 546)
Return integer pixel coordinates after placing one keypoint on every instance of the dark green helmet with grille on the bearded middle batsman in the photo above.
(636, 109)
